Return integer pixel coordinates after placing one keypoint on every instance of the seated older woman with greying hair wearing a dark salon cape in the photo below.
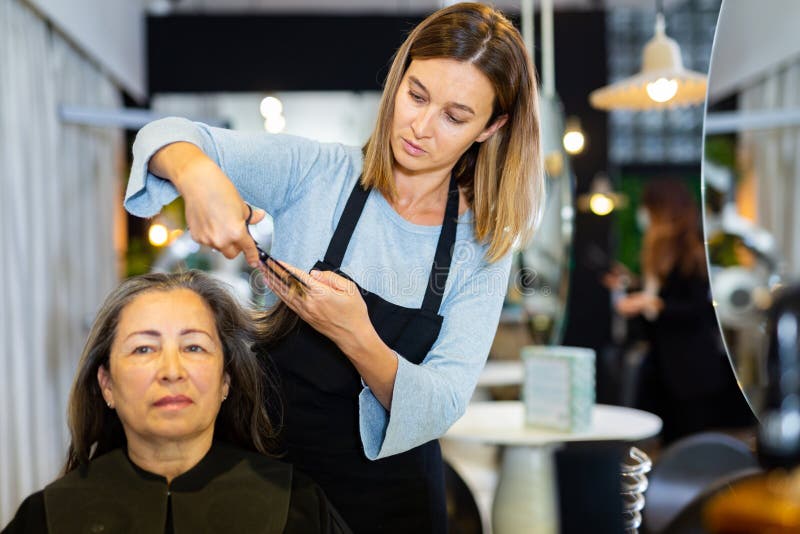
(169, 431)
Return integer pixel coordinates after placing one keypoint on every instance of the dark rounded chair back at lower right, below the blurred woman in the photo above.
(686, 470)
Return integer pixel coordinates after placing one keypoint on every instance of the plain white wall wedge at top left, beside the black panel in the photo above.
(110, 32)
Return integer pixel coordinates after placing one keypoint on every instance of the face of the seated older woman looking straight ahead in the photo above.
(165, 377)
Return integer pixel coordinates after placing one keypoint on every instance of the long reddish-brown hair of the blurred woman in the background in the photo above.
(672, 239)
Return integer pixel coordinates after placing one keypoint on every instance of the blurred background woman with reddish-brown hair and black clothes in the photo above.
(686, 377)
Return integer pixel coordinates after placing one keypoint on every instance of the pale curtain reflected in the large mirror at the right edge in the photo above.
(773, 156)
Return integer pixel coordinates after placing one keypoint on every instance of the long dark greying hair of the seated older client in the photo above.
(243, 418)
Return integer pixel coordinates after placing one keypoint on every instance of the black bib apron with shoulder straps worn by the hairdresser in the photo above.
(402, 493)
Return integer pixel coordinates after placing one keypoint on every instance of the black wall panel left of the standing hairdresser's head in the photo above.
(269, 53)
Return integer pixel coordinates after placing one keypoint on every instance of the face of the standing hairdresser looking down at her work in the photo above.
(440, 109)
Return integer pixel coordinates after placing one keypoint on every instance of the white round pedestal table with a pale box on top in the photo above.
(524, 499)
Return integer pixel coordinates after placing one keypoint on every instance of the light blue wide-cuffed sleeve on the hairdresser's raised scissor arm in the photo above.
(270, 171)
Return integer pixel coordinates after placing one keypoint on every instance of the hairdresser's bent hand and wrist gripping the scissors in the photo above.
(215, 212)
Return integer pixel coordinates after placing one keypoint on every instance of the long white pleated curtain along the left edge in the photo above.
(59, 198)
